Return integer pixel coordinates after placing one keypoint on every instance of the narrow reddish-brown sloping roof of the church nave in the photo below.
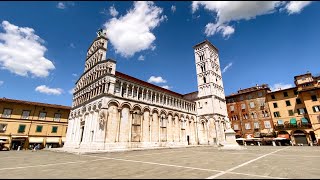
(143, 83)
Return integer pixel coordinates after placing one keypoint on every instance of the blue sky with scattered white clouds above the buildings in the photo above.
(43, 44)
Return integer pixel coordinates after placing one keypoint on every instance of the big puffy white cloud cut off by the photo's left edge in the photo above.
(22, 52)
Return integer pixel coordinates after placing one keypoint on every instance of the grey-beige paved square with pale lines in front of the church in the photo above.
(257, 162)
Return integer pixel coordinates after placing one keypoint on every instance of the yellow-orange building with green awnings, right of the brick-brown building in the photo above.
(295, 111)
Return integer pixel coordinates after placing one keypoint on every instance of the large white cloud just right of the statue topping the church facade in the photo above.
(131, 33)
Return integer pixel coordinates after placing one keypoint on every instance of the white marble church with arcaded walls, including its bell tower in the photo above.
(112, 110)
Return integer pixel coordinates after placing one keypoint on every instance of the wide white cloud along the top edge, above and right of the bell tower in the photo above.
(228, 11)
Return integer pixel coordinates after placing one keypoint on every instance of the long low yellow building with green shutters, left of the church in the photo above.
(24, 124)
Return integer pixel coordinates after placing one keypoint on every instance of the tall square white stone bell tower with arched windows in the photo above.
(211, 103)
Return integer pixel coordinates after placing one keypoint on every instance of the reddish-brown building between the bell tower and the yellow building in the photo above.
(249, 112)
